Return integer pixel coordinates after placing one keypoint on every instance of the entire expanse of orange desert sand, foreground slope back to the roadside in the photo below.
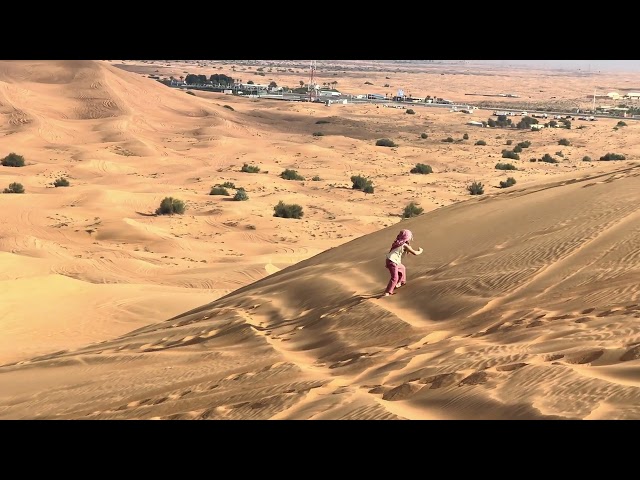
(522, 306)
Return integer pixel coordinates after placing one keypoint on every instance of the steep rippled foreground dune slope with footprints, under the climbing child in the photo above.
(519, 309)
